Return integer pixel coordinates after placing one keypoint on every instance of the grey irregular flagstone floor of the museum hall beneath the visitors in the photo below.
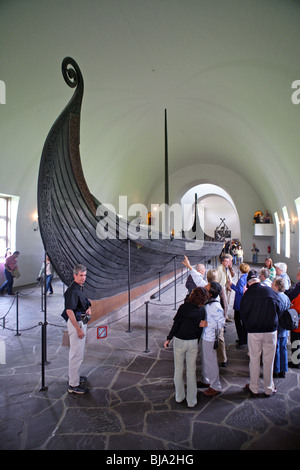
(131, 403)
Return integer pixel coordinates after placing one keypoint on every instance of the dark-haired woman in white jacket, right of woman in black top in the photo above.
(215, 321)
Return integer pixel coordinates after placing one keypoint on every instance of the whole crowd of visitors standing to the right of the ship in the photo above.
(260, 299)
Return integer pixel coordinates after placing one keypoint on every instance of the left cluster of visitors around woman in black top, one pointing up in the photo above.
(202, 315)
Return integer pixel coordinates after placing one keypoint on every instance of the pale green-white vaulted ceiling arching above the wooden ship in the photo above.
(223, 69)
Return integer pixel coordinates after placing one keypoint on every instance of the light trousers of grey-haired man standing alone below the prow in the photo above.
(76, 352)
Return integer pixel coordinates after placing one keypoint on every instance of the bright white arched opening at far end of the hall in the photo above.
(214, 205)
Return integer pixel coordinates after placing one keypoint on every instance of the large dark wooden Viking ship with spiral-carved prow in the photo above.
(68, 217)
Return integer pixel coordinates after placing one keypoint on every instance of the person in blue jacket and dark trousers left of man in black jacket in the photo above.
(239, 289)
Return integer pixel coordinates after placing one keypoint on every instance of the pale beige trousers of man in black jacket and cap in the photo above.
(262, 344)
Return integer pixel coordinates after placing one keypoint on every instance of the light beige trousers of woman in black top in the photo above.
(185, 351)
